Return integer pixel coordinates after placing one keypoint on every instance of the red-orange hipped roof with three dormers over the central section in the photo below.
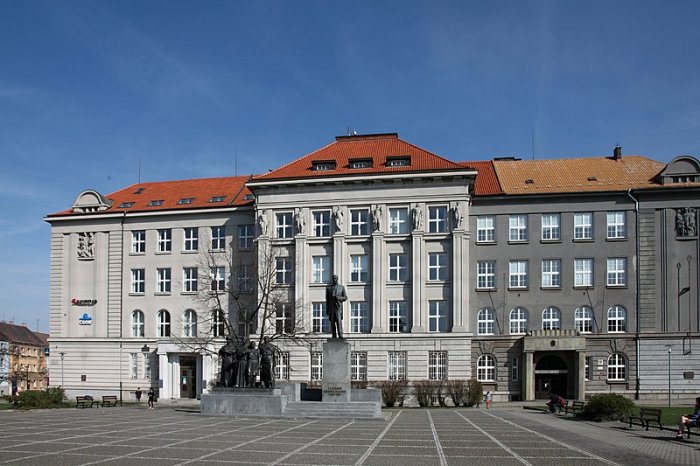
(379, 148)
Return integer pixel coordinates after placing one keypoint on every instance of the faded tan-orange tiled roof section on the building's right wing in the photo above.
(592, 174)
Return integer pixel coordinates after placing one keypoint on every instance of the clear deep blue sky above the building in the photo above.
(87, 88)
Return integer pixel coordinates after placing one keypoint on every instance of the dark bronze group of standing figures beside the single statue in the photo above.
(240, 364)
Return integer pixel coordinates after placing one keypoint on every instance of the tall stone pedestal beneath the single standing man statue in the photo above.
(336, 371)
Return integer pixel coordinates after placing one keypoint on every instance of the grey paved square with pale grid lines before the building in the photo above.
(178, 435)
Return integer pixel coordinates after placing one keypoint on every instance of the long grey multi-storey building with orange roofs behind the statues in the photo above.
(573, 275)
